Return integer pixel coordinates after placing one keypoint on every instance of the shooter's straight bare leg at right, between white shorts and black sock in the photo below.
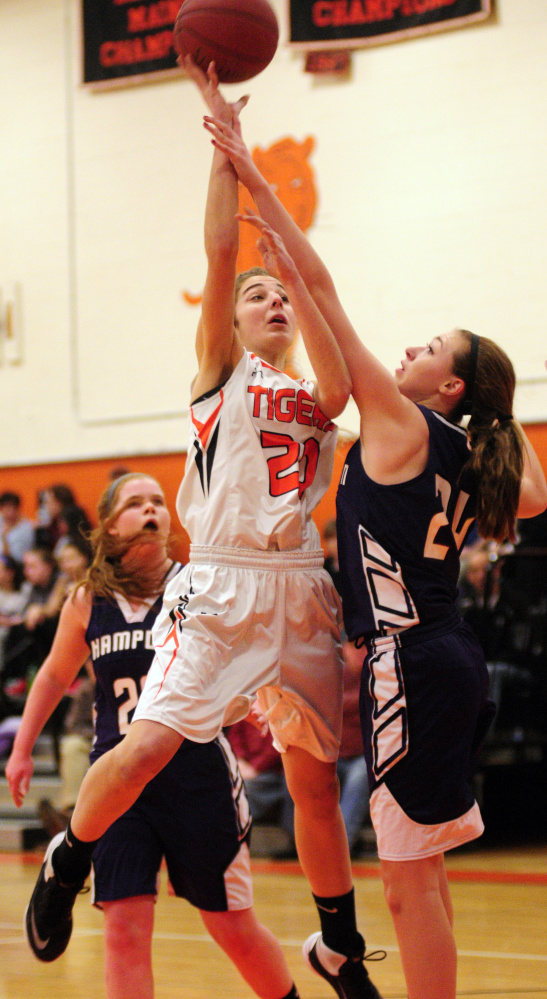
(320, 834)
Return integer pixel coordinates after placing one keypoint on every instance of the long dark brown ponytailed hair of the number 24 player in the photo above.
(497, 448)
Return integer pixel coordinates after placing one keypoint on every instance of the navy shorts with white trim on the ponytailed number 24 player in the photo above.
(425, 711)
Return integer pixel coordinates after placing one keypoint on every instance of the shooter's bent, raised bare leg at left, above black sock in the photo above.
(115, 781)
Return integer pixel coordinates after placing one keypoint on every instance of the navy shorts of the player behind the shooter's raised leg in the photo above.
(194, 814)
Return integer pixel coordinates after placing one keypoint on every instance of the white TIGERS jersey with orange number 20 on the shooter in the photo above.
(260, 458)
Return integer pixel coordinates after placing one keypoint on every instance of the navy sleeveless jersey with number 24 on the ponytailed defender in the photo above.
(399, 544)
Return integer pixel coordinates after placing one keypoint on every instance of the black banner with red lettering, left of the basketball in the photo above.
(124, 41)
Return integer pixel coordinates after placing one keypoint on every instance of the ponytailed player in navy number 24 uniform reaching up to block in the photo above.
(410, 491)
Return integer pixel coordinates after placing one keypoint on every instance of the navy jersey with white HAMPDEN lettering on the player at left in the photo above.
(121, 647)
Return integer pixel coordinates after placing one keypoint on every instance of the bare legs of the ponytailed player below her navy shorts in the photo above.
(417, 895)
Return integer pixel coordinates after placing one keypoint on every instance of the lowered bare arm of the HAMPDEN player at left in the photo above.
(67, 656)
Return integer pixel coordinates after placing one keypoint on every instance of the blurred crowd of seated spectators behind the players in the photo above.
(502, 595)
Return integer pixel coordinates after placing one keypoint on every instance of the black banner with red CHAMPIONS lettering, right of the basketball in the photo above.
(338, 24)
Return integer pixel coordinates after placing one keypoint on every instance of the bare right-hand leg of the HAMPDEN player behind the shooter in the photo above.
(253, 949)
